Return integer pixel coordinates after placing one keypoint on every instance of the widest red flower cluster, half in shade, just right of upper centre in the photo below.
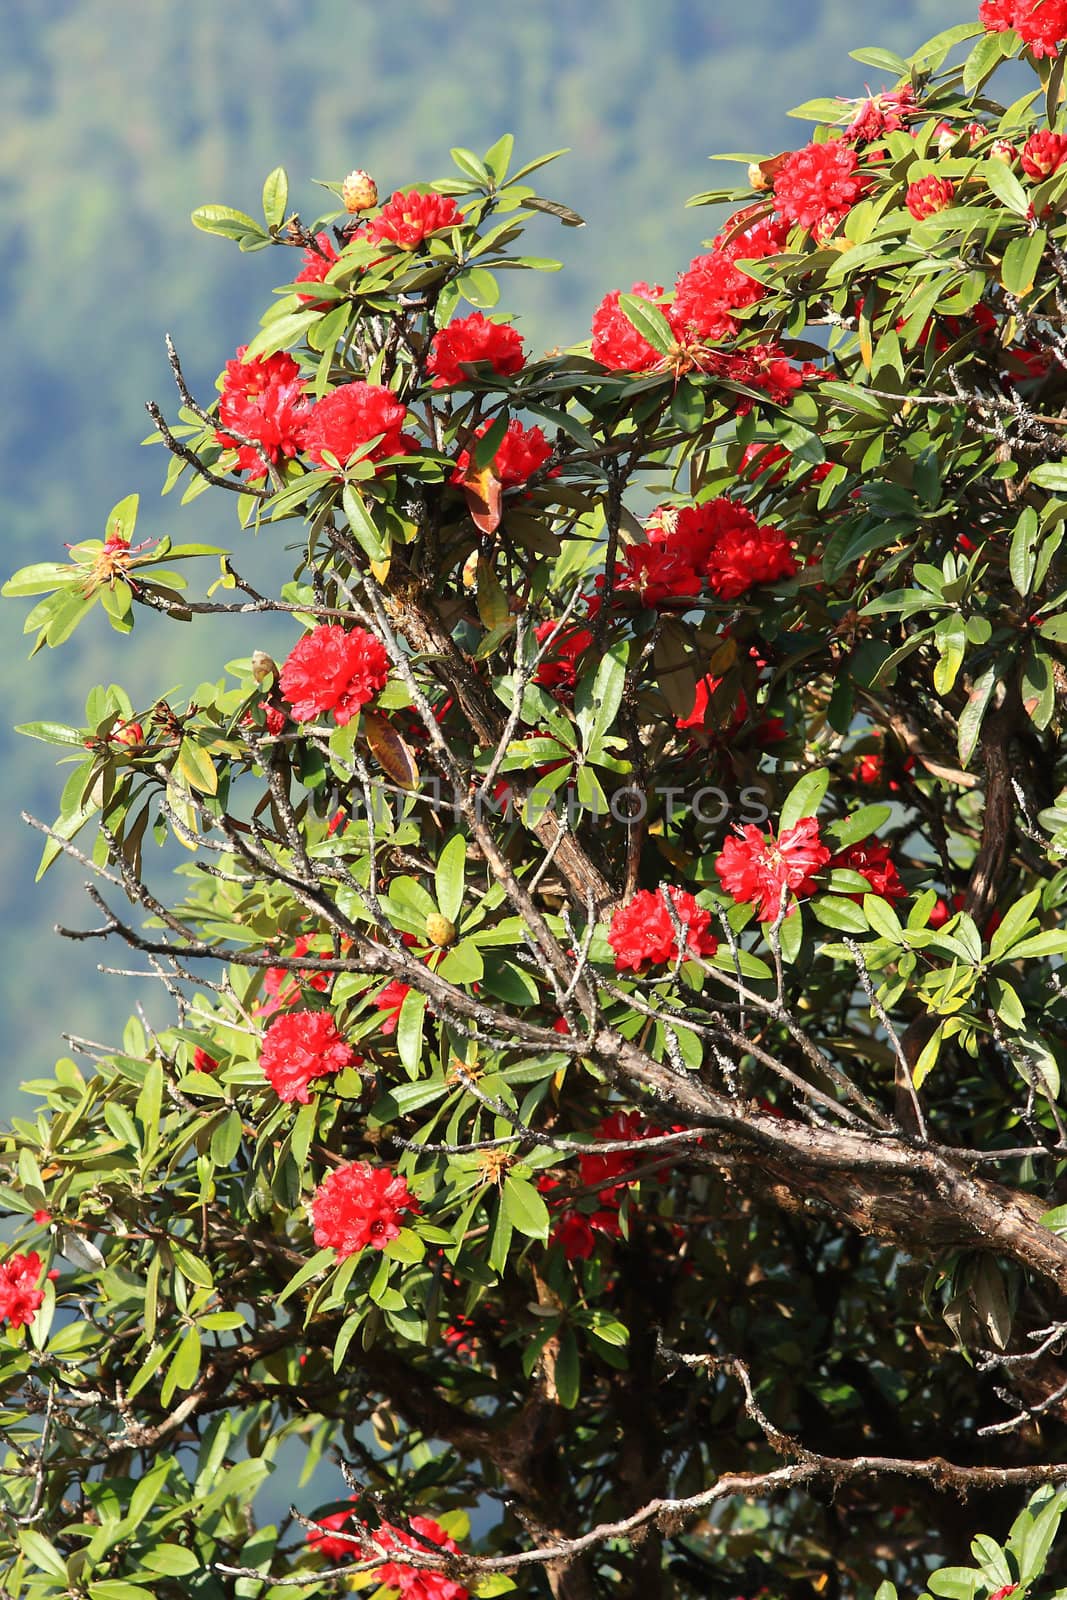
(719, 545)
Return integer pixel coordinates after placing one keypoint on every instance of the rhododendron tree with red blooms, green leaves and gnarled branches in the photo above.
(599, 1126)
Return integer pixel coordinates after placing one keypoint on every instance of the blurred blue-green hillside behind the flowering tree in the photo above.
(121, 116)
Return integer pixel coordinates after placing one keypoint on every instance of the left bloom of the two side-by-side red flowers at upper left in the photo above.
(263, 401)
